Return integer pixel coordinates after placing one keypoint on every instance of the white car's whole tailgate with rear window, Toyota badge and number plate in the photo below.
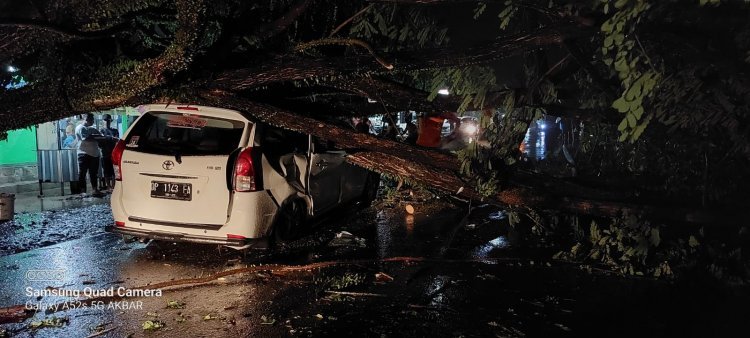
(175, 166)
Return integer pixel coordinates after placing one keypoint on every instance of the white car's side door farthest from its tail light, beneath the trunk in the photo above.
(326, 169)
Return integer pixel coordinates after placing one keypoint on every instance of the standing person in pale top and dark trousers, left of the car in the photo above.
(88, 153)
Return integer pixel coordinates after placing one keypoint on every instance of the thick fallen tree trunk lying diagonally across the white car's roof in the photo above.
(438, 170)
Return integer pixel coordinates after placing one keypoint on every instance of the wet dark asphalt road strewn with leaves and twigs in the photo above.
(428, 275)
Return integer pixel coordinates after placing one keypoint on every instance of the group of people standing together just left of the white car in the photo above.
(92, 145)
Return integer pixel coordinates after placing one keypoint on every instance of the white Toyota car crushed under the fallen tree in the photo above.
(212, 175)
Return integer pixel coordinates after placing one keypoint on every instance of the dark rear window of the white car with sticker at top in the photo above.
(171, 133)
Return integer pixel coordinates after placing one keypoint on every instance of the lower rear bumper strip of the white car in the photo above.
(240, 243)
